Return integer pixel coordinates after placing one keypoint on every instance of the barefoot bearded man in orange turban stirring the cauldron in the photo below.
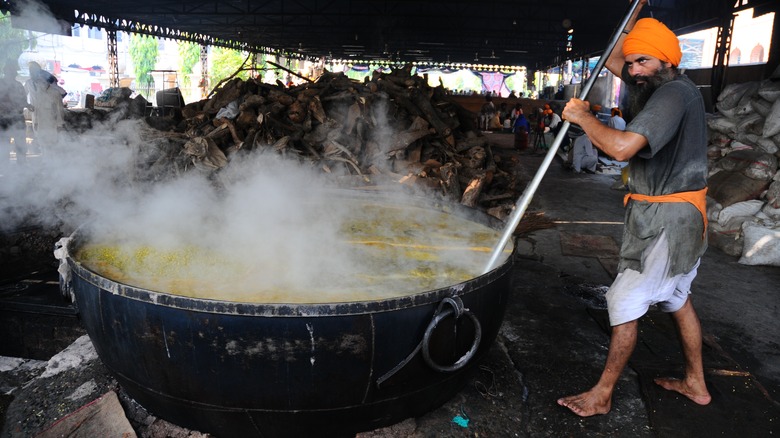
(665, 223)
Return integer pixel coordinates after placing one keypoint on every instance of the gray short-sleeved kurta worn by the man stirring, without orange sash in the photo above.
(675, 160)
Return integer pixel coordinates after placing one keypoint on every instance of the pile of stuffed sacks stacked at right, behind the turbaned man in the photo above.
(744, 180)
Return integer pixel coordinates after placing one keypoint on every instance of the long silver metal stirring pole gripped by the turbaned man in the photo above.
(525, 200)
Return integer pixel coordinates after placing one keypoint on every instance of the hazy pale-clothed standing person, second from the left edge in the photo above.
(45, 98)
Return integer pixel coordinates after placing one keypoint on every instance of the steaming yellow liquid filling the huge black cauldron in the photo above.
(380, 252)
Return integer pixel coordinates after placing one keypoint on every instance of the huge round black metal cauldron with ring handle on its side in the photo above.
(242, 369)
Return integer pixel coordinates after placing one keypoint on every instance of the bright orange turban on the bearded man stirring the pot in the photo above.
(651, 37)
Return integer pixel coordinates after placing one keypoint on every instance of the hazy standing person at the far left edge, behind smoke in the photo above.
(13, 99)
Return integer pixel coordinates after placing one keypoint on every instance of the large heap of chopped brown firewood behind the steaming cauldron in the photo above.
(390, 128)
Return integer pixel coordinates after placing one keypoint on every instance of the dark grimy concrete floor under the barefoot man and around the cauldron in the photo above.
(554, 340)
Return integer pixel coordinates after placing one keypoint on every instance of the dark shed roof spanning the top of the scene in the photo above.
(498, 32)
